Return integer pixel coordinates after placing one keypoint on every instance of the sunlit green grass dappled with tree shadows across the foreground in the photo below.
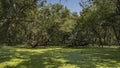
(57, 57)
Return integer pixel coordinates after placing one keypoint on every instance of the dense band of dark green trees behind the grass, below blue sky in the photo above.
(35, 23)
